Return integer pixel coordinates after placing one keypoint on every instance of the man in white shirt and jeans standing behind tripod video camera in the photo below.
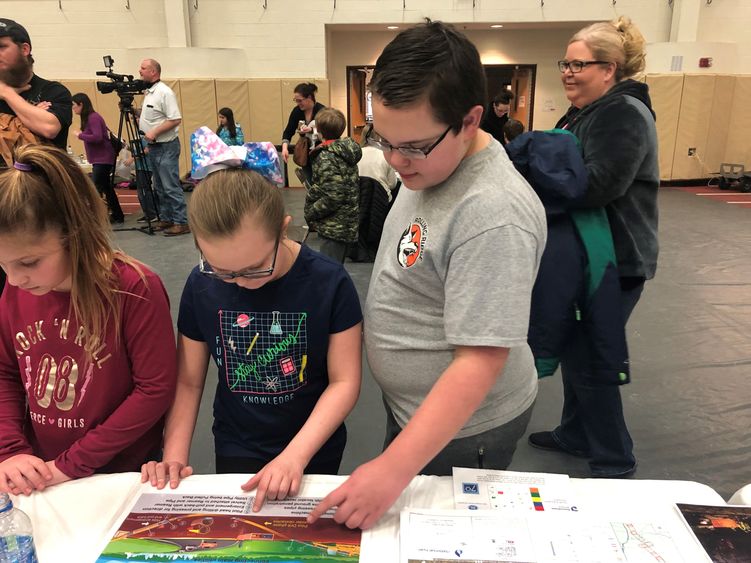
(160, 121)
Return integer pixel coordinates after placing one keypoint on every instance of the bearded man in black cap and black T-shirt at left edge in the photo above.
(42, 106)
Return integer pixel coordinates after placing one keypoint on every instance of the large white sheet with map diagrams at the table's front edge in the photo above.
(491, 536)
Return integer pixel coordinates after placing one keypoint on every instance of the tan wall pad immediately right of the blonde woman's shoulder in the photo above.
(665, 91)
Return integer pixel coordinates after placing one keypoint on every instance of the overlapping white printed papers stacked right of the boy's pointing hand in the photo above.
(505, 516)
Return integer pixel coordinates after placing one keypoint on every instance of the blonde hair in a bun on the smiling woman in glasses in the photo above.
(618, 41)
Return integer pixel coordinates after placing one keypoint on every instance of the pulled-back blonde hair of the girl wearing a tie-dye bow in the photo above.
(225, 197)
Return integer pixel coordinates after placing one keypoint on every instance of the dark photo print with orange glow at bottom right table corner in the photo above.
(723, 531)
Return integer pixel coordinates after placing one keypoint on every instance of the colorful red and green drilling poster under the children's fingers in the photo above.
(219, 528)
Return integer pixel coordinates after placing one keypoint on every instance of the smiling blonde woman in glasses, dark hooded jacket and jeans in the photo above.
(611, 114)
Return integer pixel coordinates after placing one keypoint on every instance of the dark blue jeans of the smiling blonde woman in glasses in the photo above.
(592, 420)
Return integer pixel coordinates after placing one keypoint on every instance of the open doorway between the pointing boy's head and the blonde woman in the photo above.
(520, 80)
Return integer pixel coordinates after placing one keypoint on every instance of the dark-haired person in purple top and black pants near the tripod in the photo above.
(99, 152)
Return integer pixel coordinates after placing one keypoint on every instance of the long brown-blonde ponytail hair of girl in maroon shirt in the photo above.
(56, 196)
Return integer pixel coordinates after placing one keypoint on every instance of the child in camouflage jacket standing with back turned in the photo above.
(331, 204)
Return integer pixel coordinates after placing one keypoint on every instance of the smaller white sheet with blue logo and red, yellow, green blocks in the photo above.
(502, 490)
